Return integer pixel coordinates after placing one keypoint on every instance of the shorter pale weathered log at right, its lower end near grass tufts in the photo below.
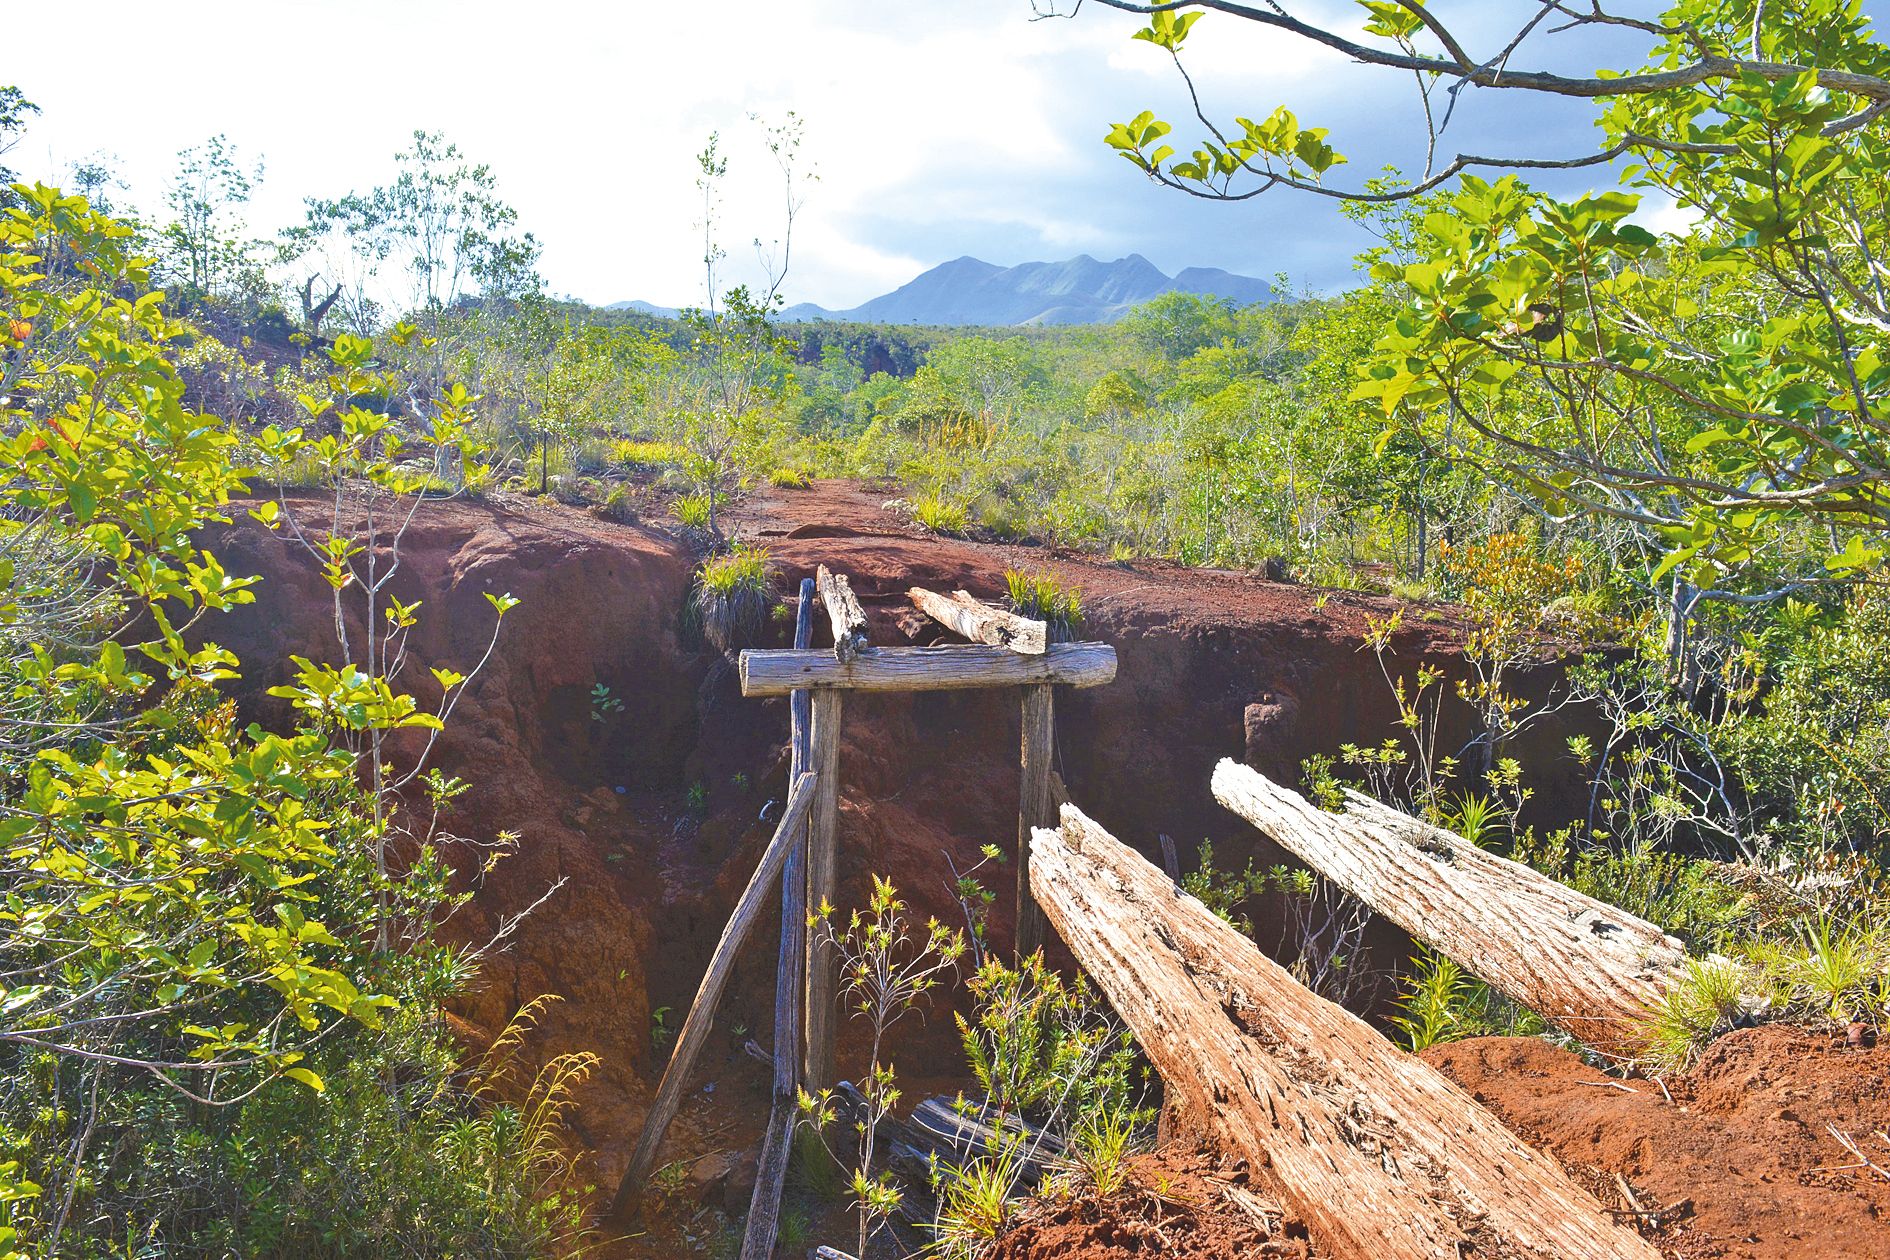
(1592, 970)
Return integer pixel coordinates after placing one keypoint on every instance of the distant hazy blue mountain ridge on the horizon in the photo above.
(969, 292)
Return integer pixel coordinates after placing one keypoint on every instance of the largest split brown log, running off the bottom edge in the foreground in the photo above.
(1377, 1151)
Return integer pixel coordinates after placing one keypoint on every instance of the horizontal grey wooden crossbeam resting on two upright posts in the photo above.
(954, 668)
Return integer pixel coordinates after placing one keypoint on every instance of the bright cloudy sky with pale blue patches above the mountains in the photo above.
(936, 128)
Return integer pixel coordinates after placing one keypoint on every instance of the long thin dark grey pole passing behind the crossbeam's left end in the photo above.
(791, 983)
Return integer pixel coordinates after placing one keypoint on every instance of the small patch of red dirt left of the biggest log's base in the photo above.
(1177, 1204)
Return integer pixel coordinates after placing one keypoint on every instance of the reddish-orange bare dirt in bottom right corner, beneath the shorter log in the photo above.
(1742, 1165)
